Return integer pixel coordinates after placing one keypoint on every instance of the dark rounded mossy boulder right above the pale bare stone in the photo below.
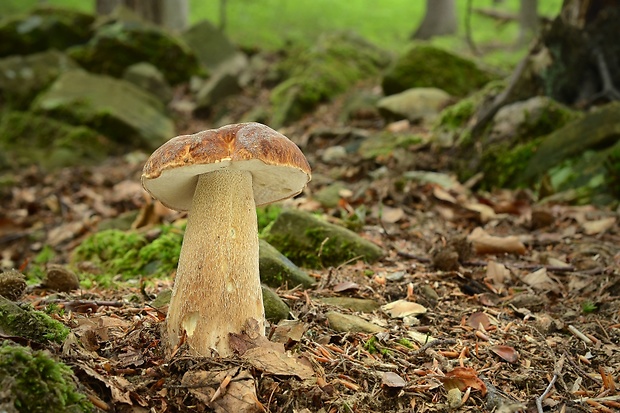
(429, 66)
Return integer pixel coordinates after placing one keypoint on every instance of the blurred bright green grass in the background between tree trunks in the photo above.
(272, 24)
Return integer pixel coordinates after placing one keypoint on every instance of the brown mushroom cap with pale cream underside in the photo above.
(279, 169)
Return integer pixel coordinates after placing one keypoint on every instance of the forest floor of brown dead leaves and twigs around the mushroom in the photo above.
(517, 301)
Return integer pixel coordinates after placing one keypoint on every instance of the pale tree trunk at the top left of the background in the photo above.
(171, 14)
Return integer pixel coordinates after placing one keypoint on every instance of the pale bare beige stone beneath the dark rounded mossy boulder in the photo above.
(417, 104)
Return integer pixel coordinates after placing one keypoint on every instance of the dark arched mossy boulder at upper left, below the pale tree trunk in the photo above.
(118, 45)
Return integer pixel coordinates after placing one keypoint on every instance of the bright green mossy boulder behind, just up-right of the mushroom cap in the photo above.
(334, 64)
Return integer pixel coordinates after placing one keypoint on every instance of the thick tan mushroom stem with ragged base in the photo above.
(217, 287)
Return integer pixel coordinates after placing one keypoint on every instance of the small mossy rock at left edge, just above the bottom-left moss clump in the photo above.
(30, 324)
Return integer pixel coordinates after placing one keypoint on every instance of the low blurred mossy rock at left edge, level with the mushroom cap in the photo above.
(33, 139)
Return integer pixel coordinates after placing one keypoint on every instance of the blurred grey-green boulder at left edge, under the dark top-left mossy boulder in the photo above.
(23, 77)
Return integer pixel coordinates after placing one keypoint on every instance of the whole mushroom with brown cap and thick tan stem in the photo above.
(220, 176)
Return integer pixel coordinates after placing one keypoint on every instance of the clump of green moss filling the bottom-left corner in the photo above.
(32, 381)
